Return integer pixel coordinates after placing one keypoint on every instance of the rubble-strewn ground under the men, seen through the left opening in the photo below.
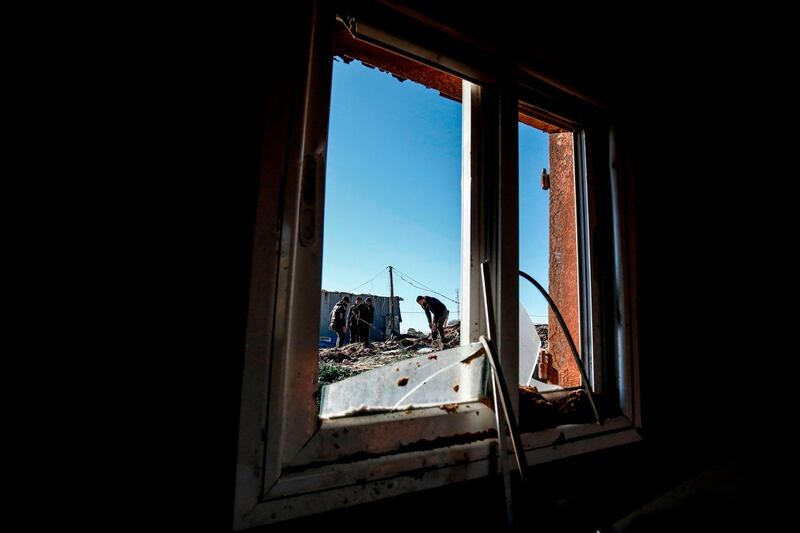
(356, 358)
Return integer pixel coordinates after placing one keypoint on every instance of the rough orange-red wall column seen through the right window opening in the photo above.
(563, 267)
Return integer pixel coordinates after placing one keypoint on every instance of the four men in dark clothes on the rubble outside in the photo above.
(359, 319)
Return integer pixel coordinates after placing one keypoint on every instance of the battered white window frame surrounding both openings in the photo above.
(280, 436)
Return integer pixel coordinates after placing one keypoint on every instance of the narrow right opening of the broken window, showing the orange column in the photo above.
(549, 378)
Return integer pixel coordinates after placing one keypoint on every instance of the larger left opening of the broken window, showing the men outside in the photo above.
(392, 201)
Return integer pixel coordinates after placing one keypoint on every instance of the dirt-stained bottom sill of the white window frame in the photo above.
(316, 489)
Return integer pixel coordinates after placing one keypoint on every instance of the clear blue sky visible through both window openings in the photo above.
(393, 191)
